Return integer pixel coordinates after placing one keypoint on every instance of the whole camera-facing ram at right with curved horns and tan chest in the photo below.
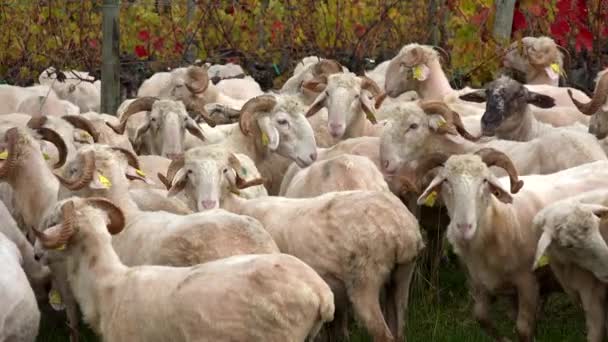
(491, 230)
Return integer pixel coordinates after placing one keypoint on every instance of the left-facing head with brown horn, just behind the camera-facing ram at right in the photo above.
(416, 130)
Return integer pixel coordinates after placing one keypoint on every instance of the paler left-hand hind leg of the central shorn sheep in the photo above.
(366, 306)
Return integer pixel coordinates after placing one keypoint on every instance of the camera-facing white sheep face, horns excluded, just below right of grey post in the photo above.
(165, 129)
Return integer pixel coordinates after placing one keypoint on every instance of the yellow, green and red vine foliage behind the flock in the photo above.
(268, 37)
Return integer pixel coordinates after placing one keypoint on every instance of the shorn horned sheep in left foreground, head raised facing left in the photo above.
(279, 297)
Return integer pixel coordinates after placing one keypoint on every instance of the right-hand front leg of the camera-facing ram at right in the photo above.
(528, 293)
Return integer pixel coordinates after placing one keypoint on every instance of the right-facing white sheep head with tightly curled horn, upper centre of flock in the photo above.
(278, 124)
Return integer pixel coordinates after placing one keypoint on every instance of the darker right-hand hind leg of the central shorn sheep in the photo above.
(398, 298)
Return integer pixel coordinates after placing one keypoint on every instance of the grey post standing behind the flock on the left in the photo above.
(110, 58)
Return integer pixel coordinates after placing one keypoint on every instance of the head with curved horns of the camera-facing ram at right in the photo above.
(467, 188)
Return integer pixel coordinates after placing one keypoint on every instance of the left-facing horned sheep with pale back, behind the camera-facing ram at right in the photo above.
(433, 127)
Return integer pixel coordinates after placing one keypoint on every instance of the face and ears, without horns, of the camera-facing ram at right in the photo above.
(466, 187)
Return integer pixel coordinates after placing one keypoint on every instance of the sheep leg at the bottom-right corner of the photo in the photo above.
(593, 299)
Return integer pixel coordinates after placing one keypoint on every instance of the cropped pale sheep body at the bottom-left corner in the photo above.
(20, 317)
